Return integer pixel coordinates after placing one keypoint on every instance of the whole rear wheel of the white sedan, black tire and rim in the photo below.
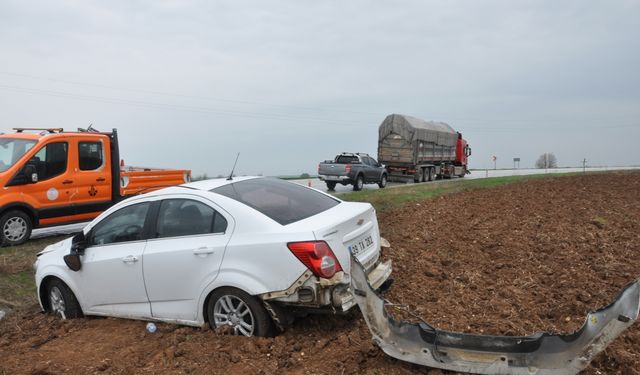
(242, 312)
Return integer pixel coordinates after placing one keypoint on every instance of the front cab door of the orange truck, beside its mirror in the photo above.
(52, 194)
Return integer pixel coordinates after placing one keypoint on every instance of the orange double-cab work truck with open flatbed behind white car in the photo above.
(52, 177)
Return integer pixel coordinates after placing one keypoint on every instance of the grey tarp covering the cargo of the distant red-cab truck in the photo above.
(414, 129)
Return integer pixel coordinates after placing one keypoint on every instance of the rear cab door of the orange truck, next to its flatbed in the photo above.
(92, 176)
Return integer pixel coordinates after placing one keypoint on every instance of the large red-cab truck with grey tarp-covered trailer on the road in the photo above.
(412, 148)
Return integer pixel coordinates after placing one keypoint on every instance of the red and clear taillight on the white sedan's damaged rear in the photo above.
(317, 256)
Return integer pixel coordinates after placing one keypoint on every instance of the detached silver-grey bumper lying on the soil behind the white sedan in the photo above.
(539, 354)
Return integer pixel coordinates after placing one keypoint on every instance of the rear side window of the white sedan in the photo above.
(185, 217)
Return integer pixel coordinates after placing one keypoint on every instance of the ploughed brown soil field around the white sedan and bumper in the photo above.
(531, 256)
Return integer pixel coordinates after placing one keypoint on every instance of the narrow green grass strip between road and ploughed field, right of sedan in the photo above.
(383, 199)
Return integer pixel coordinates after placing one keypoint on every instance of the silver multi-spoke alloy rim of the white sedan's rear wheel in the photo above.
(232, 311)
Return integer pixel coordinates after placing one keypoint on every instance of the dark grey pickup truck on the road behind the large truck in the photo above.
(349, 168)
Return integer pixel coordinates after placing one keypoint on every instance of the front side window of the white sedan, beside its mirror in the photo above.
(123, 225)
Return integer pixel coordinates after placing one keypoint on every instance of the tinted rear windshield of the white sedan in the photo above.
(282, 201)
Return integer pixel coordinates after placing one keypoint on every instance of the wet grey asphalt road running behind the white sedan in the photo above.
(320, 185)
